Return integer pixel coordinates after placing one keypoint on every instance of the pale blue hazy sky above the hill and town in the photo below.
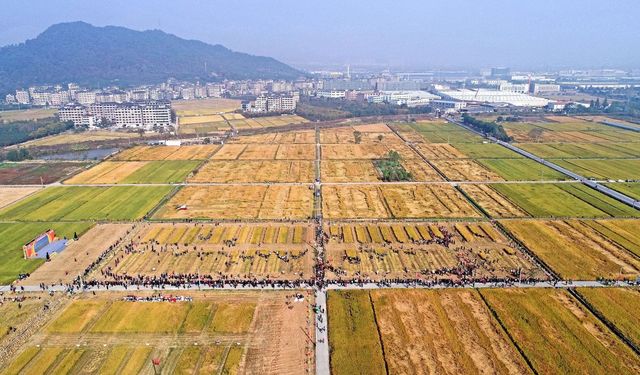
(421, 33)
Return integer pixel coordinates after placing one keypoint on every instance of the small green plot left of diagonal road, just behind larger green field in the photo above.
(522, 170)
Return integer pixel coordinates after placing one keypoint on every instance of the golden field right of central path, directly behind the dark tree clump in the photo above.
(364, 151)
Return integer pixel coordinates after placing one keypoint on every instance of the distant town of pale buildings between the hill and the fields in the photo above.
(148, 107)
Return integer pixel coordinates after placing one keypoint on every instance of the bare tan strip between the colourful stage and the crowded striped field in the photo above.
(66, 266)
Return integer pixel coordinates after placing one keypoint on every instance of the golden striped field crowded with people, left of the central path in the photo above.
(238, 251)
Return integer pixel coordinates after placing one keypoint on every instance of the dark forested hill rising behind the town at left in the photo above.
(97, 56)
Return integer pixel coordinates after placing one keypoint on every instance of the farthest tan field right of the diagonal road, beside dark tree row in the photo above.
(576, 131)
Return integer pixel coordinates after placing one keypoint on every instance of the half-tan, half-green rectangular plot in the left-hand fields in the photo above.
(136, 172)
